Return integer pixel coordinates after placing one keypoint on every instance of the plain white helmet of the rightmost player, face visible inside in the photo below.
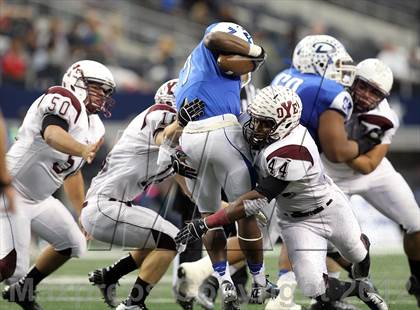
(373, 82)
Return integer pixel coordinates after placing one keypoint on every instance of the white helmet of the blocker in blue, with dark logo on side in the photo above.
(325, 56)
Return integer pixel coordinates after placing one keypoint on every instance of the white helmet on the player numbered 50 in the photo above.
(85, 72)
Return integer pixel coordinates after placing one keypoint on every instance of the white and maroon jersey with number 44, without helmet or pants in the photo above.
(295, 159)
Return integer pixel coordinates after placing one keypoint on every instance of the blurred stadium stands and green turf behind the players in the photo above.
(146, 43)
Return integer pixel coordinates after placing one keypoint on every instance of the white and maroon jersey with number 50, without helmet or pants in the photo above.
(38, 170)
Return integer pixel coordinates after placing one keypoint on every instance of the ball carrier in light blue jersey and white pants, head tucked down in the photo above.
(215, 146)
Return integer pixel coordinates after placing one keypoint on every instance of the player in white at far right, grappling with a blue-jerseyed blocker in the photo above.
(371, 175)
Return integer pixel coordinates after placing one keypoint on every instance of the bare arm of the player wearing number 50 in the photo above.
(62, 141)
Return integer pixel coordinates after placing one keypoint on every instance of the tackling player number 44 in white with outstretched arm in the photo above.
(312, 209)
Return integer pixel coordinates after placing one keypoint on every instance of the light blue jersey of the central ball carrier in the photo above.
(202, 78)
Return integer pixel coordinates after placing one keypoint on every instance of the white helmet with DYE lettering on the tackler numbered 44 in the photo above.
(274, 112)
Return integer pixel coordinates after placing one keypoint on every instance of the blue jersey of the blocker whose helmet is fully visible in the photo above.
(317, 95)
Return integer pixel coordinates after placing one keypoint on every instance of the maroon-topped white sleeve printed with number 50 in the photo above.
(60, 102)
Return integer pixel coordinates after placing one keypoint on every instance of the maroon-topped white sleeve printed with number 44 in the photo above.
(289, 163)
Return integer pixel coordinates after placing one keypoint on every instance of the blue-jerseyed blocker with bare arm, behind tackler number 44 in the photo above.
(321, 71)
